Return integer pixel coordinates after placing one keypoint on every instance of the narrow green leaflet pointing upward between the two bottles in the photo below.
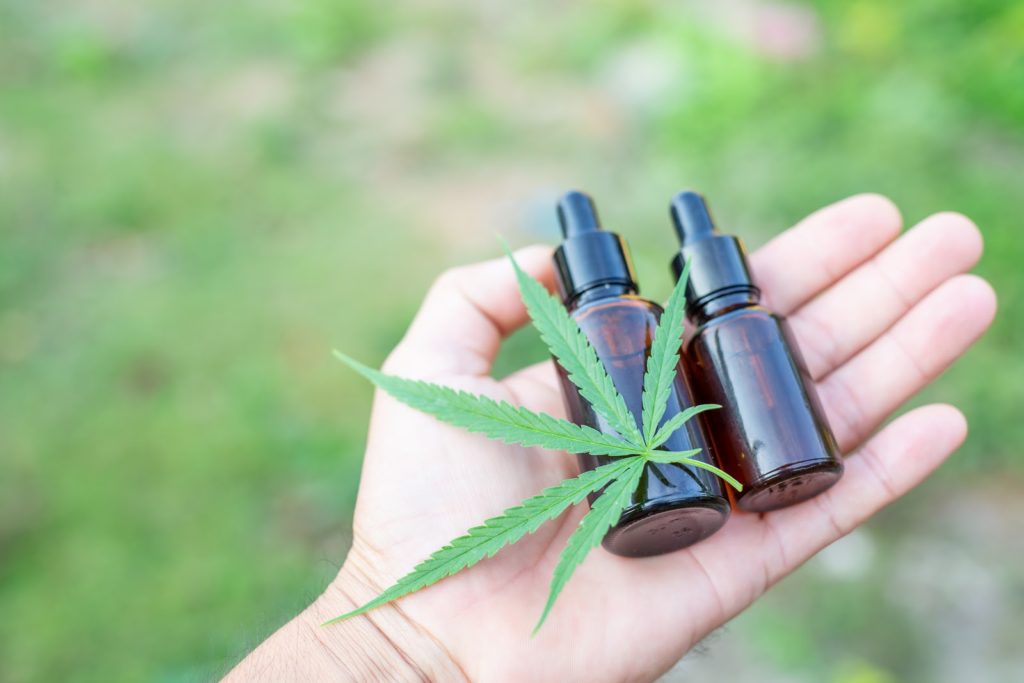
(663, 362)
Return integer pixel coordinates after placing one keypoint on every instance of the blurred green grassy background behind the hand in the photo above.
(199, 201)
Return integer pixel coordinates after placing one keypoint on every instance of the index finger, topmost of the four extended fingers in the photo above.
(823, 248)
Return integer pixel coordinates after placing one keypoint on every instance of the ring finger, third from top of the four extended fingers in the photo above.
(865, 392)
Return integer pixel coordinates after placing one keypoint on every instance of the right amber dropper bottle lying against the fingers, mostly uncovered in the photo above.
(772, 433)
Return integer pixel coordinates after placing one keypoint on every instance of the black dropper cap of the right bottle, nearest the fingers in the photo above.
(719, 262)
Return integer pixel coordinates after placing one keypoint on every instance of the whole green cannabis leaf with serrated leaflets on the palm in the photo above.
(634, 448)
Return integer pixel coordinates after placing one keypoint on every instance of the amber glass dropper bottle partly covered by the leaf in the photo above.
(674, 506)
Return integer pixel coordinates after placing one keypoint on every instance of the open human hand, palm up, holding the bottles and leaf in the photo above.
(878, 316)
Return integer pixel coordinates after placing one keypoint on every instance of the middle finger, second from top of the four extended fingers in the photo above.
(847, 317)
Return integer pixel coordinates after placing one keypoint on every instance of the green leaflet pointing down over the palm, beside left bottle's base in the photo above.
(604, 514)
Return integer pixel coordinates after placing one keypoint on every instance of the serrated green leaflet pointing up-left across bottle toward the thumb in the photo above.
(570, 347)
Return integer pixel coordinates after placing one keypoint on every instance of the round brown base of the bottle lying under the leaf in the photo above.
(666, 531)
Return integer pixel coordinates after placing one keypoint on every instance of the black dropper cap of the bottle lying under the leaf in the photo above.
(589, 258)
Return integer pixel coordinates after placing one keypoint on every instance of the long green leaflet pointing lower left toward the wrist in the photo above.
(495, 534)
